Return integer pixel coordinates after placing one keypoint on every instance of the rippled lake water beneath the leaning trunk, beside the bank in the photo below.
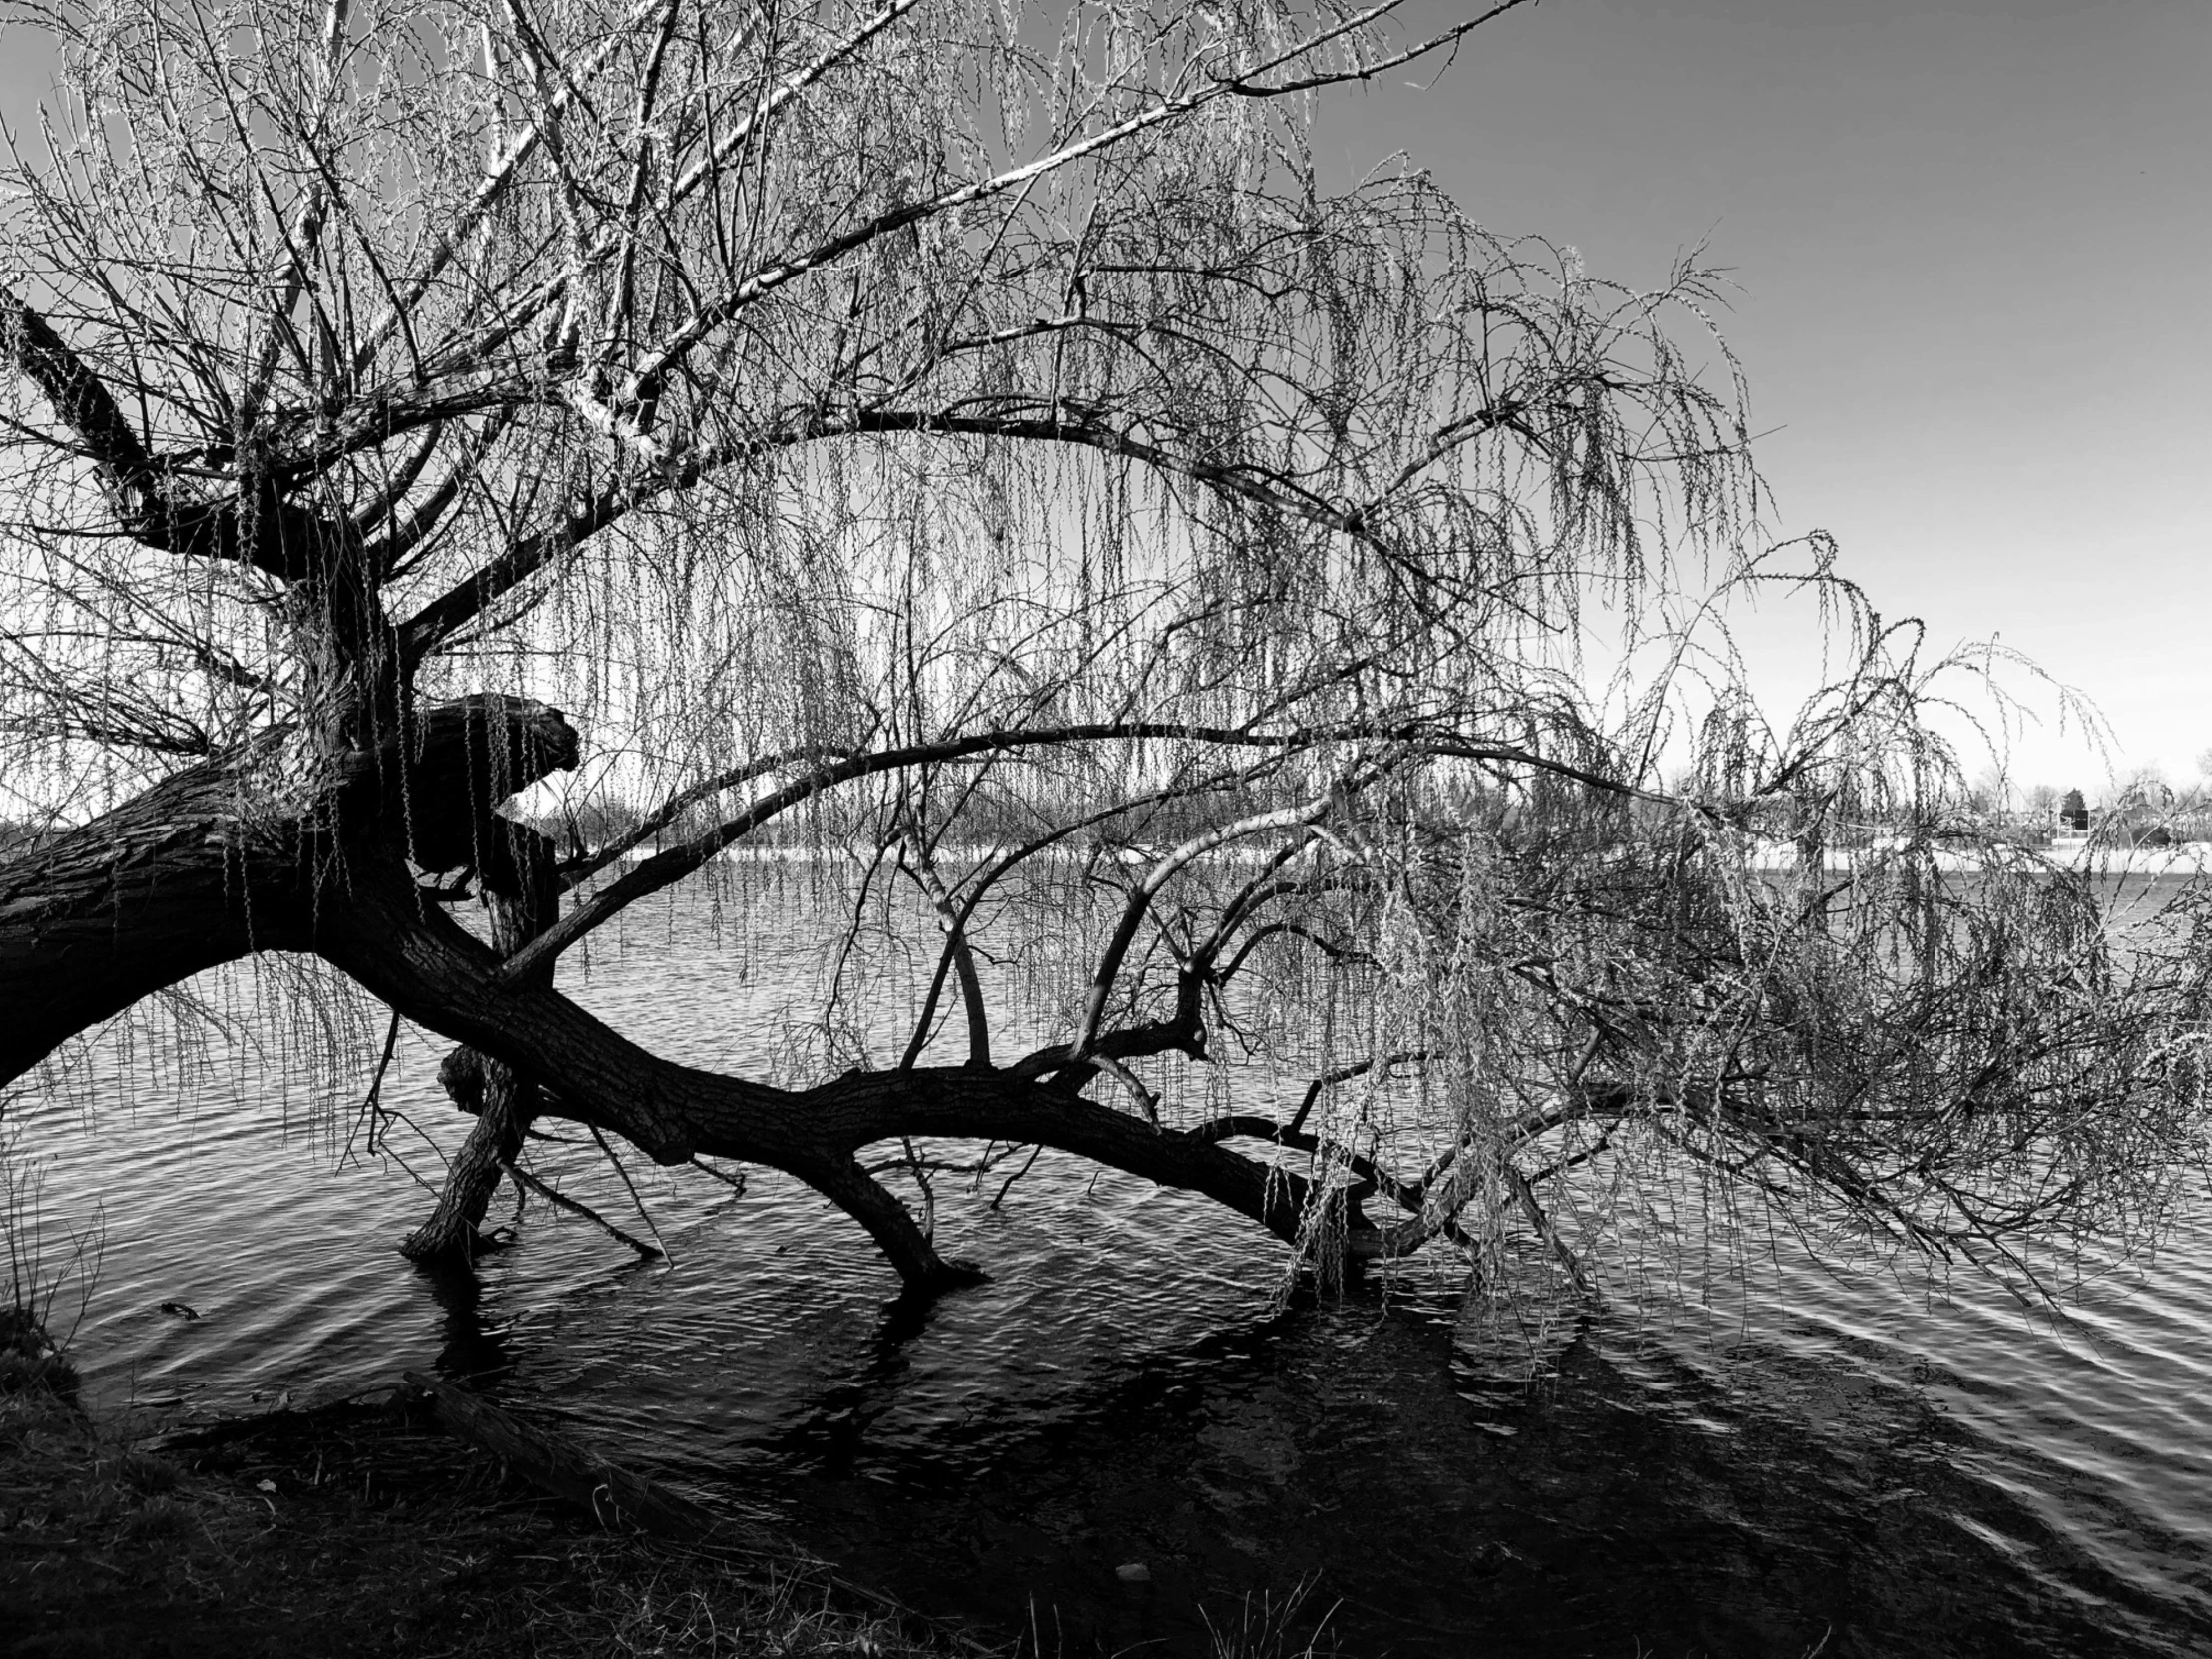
(1815, 1459)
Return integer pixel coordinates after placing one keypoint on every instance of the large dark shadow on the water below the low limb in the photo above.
(1627, 1501)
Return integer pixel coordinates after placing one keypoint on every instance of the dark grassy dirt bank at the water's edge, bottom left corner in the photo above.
(362, 1530)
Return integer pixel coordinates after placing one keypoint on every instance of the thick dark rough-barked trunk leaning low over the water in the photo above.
(225, 862)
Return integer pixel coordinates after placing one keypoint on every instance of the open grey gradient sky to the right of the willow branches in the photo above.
(1974, 249)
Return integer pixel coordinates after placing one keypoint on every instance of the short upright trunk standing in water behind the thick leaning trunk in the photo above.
(523, 895)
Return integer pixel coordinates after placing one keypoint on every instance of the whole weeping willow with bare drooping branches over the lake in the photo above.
(972, 446)
